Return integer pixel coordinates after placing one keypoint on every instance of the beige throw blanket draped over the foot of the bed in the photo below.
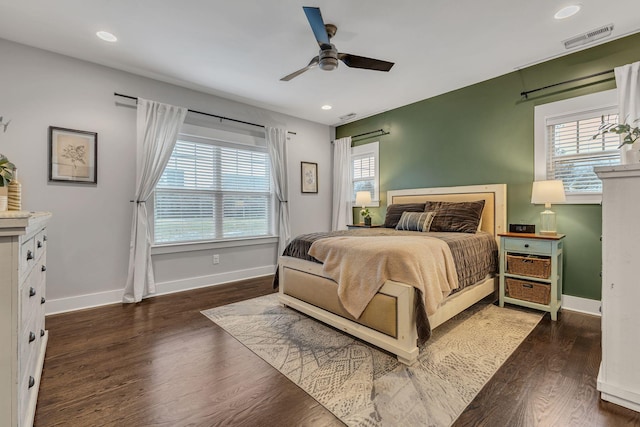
(361, 265)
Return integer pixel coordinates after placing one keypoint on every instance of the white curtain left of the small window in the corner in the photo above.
(342, 213)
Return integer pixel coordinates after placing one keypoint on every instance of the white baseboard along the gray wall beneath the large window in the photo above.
(81, 302)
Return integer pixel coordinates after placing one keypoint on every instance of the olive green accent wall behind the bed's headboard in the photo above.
(483, 134)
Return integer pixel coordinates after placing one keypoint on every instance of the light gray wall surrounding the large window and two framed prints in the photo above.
(89, 233)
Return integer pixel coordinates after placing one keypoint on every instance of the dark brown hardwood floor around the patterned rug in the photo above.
(162, 363)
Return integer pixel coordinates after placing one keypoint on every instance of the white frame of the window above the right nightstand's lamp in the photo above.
(605, 102)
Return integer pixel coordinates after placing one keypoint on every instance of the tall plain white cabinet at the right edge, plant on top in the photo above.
(619, 376)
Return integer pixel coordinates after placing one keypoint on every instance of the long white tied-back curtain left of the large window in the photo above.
(157, 130)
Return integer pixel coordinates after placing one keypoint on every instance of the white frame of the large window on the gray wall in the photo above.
(220, 138)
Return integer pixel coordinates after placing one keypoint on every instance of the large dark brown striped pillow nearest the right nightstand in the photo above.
(462, 217)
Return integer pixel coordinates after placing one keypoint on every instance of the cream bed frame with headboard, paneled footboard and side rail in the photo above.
(392, 320)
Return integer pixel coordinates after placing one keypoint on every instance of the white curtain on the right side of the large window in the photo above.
(277, 146)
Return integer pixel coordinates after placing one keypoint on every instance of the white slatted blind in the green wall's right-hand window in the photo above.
(574, 152)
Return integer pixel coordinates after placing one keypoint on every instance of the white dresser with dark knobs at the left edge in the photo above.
(23, 337)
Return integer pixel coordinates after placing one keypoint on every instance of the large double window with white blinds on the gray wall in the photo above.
(213, 192)
